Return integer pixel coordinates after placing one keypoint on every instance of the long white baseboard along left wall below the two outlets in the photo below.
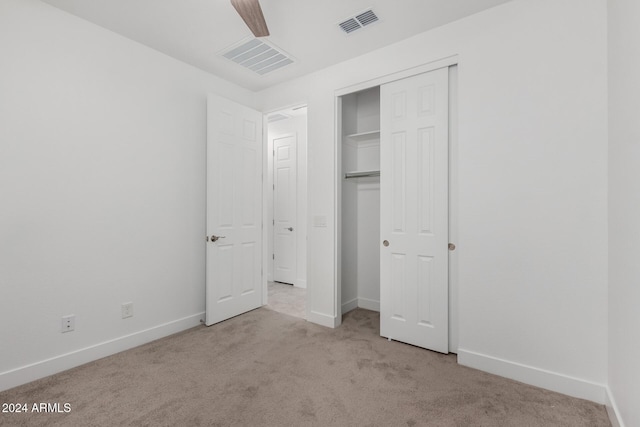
(34, 371)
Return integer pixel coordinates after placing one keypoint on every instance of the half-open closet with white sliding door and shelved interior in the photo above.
(394, 206)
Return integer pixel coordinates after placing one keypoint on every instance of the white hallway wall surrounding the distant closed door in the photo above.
(296, 125)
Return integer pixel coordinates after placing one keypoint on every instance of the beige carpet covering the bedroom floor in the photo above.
(268, 369)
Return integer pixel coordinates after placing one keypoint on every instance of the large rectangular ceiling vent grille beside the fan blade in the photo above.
(258, 56)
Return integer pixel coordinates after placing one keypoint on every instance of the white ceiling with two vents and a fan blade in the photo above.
(196, 31)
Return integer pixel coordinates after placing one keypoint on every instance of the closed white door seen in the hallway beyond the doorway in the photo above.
(284, 209)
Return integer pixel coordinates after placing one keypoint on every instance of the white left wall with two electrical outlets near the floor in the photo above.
(102, 190)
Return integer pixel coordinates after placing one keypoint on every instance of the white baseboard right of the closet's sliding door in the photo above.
(534, 376)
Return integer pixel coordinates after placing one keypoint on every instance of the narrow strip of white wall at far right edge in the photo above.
(624, 208)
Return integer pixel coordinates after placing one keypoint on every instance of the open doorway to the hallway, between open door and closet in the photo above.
(287, 210)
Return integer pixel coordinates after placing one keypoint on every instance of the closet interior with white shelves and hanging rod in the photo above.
(360, 252)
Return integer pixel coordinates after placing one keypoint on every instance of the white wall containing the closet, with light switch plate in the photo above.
(532, 185)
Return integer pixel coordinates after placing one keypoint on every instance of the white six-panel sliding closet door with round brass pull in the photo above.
(414, 210)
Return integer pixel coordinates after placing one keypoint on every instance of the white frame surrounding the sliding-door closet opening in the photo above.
(453, 185)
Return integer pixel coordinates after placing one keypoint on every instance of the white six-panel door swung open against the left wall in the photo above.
(234, 209)
